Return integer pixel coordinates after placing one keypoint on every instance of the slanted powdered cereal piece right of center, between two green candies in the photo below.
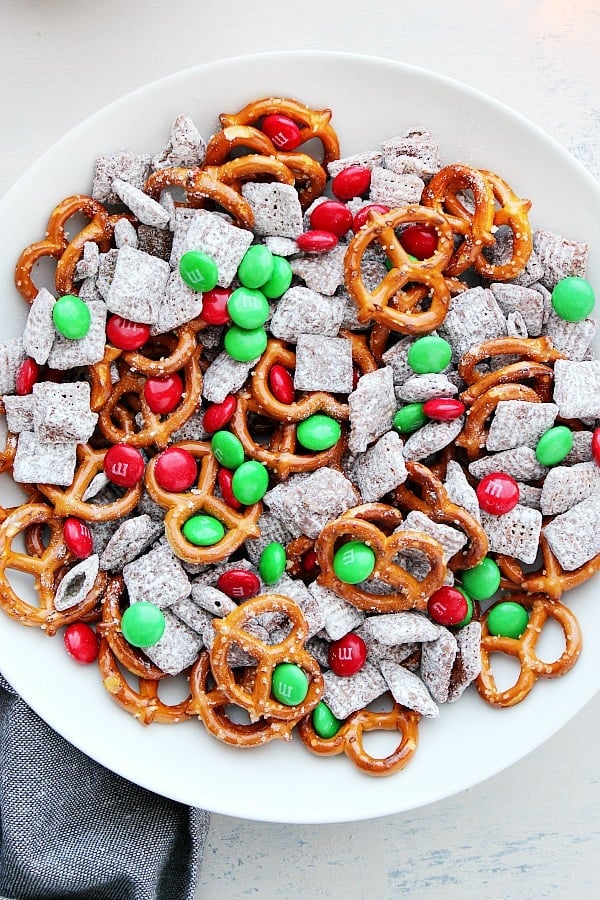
(372, 407)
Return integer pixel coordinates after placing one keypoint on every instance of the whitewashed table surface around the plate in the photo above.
(532, 832)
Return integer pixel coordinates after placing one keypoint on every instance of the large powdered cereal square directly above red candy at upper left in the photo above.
(138, 286)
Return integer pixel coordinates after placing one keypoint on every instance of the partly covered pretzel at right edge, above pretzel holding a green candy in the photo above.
(549, 579)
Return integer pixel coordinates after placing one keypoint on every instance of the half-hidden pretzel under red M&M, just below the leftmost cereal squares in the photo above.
(69, 501)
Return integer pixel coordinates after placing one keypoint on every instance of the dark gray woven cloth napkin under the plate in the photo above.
(72, 829)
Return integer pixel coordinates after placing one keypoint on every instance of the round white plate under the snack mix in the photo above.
(372, 99)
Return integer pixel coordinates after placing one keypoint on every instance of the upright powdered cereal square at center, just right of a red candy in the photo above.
(323, 364)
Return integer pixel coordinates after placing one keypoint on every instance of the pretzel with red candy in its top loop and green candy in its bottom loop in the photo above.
(182, 506)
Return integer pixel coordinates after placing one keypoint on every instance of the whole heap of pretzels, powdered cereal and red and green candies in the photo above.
(310, 431)
